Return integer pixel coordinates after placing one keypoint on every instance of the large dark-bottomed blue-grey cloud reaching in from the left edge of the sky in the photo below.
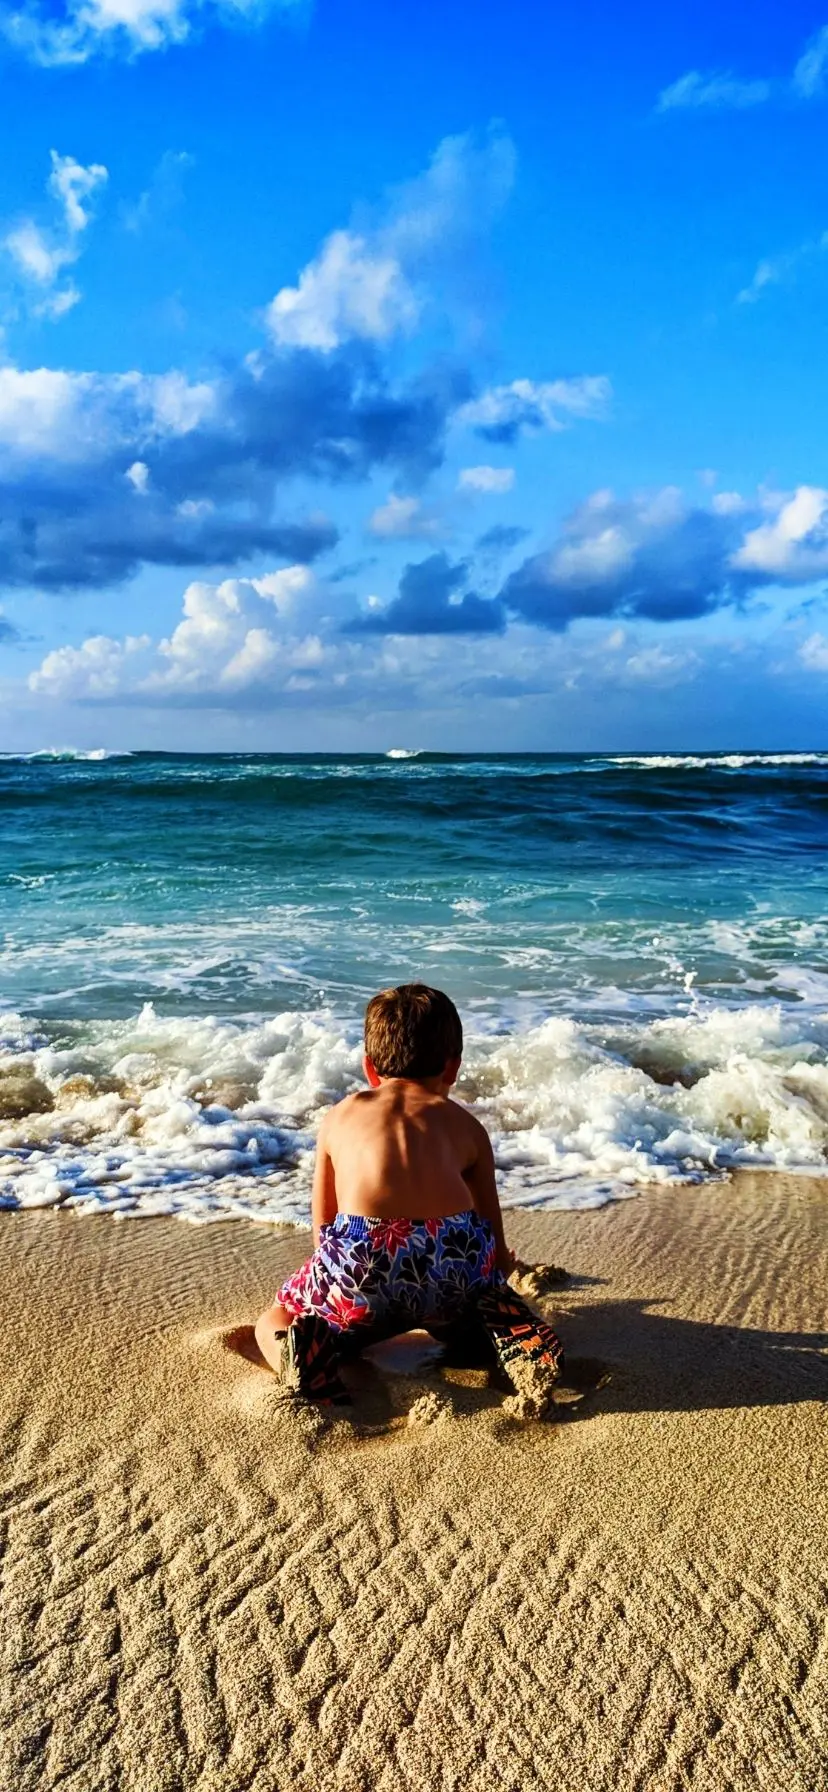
(103, 474)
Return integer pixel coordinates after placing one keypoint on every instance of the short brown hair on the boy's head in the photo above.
(413, 1031)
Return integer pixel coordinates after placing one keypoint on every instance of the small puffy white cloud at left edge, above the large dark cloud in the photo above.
(42, 255)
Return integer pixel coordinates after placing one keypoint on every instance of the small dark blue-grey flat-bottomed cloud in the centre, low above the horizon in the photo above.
(429, 603)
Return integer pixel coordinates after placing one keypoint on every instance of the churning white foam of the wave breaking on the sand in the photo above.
(212, 1119)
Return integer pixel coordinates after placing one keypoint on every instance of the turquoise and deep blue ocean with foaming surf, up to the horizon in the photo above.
(639, 949)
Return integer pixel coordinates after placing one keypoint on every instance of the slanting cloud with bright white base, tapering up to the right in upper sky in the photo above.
(367, 284)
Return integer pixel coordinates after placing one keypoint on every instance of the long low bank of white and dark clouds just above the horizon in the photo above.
(286, 639)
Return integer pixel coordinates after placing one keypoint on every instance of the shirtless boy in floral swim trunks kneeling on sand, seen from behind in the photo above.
(408, 1225)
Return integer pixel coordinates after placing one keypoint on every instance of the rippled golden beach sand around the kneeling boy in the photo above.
(202, 1590)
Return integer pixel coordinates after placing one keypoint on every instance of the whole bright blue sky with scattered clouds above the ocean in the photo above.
(420, 375)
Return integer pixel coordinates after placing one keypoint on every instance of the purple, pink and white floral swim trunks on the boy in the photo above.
(395, 1273)
